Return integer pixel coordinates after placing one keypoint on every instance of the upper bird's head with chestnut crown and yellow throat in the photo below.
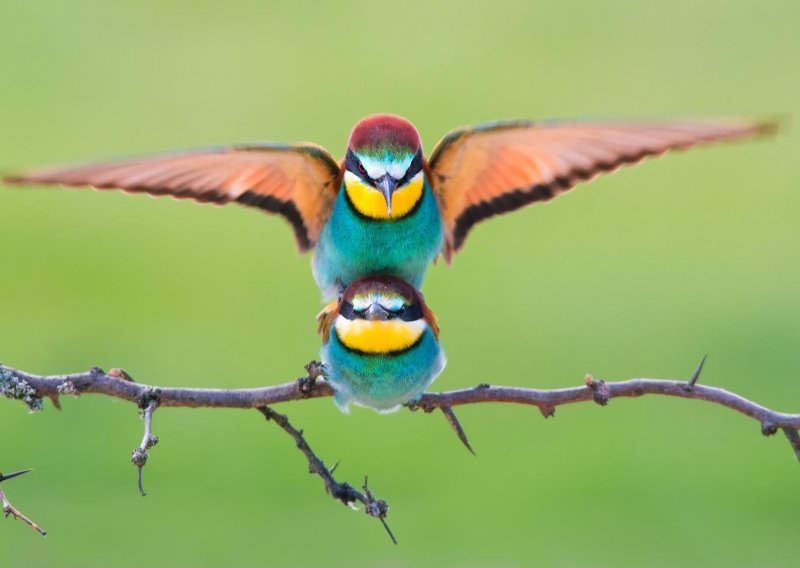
(383, 167)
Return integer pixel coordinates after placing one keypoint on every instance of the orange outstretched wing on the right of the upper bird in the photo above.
(494, 168)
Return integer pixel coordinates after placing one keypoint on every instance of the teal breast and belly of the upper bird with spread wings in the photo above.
(352, 246)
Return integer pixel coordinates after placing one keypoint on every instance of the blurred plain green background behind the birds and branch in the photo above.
(636, 274)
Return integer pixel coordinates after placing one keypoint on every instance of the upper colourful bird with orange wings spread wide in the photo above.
(385, 208)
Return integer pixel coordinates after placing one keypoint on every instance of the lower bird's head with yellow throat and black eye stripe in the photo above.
(380, 315)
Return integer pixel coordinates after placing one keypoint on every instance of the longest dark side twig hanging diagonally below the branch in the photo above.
(343, 492)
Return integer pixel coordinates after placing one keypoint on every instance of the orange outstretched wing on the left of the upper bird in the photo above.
(297, 181)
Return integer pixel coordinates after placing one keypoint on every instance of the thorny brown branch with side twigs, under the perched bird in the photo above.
(32, 389)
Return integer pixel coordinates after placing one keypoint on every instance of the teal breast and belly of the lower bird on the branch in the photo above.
(381, 382)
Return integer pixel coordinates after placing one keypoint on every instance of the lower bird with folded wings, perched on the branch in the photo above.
(381, 345)
